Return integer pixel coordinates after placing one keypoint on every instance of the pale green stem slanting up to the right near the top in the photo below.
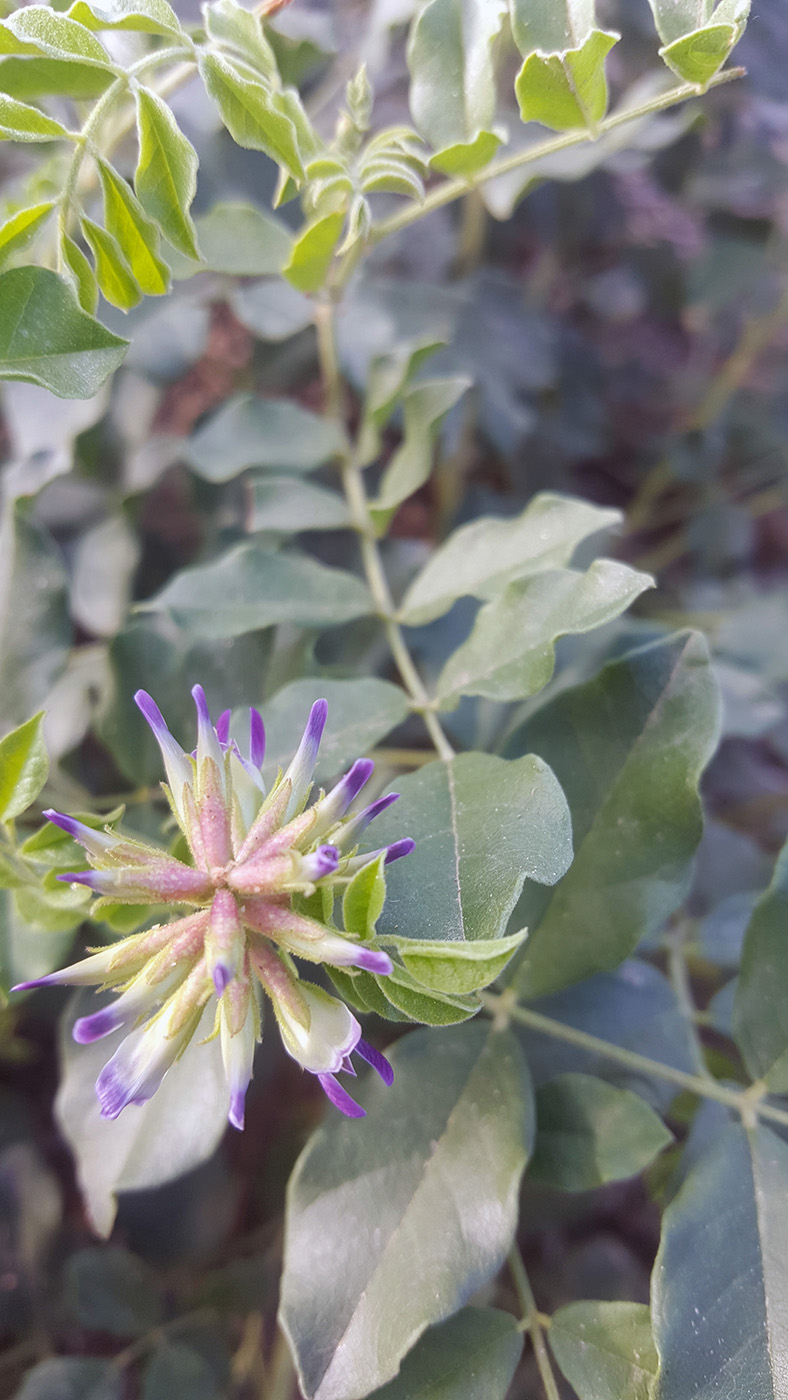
(453, 190)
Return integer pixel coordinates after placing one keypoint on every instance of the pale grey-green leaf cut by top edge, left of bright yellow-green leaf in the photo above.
(453, 78)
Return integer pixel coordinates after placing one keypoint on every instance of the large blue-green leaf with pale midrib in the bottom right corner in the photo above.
(720, 1291)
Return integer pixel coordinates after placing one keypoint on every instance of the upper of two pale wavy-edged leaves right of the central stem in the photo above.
(481, 559)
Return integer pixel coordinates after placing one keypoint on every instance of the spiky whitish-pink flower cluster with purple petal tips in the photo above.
(253, 853)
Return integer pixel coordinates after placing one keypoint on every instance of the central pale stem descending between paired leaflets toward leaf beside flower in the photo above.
(356, 496)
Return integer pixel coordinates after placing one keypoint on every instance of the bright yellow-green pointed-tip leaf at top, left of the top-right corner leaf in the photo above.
(566, 90)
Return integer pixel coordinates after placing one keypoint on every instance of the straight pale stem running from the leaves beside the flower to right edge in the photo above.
(747, 1102)
